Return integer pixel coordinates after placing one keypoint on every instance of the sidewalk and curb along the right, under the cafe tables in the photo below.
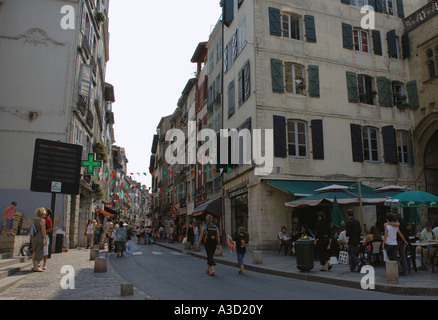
(421, 283)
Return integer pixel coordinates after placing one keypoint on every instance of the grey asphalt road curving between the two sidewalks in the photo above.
(170, 275)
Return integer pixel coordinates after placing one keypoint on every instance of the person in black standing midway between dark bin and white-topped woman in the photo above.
(353, 231)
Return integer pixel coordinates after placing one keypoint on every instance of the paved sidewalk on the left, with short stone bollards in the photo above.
(88, 284)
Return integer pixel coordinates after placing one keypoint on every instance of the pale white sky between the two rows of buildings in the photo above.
(151, 44)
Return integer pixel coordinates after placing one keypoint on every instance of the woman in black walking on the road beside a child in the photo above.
(210, 235)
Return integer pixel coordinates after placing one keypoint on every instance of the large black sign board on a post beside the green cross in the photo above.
(56, 167)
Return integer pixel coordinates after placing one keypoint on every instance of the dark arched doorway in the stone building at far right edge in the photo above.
(431, 171)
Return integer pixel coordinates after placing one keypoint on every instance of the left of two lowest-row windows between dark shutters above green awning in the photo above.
(297, 138)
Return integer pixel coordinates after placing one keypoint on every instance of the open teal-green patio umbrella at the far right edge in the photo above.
(413, 199)
